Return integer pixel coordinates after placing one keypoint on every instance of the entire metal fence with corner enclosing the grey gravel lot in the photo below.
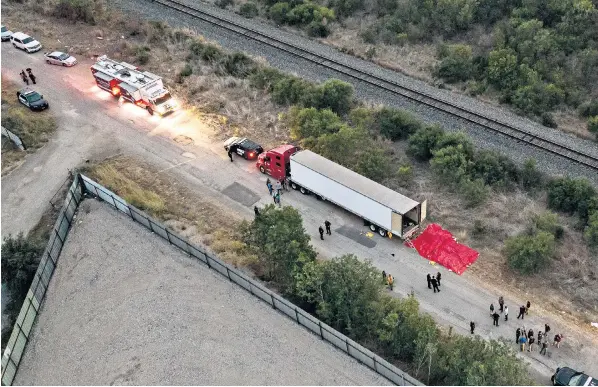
(82, 184)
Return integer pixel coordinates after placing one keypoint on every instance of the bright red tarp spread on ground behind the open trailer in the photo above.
(439, 246)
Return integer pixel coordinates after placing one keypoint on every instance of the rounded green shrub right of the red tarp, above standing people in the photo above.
(528, 254)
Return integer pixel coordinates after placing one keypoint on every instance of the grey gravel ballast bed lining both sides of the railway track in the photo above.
(518, 152)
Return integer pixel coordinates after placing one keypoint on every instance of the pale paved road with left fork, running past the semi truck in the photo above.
(91, 125)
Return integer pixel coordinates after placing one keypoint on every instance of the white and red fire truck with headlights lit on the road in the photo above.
(128, 82)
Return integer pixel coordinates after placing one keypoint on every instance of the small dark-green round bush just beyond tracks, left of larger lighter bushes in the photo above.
(456, 63)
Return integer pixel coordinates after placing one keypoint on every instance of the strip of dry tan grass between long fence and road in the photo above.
(195, 217)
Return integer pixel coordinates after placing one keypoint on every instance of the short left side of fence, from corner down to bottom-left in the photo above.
(35, 296)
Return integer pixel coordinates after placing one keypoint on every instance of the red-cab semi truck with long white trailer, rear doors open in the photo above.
(383, 210)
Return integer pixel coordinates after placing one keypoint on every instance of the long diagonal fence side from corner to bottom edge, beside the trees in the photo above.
(325, 332)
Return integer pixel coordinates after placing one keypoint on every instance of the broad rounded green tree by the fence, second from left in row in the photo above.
(344, 291)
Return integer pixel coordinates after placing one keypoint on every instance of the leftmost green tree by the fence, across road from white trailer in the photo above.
(278, 239)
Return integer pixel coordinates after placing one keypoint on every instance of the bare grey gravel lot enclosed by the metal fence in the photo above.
(125, 307)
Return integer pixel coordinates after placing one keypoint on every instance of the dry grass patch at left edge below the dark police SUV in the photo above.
(34, 128)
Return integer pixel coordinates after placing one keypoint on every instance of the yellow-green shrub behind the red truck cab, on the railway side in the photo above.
(311, 122)
